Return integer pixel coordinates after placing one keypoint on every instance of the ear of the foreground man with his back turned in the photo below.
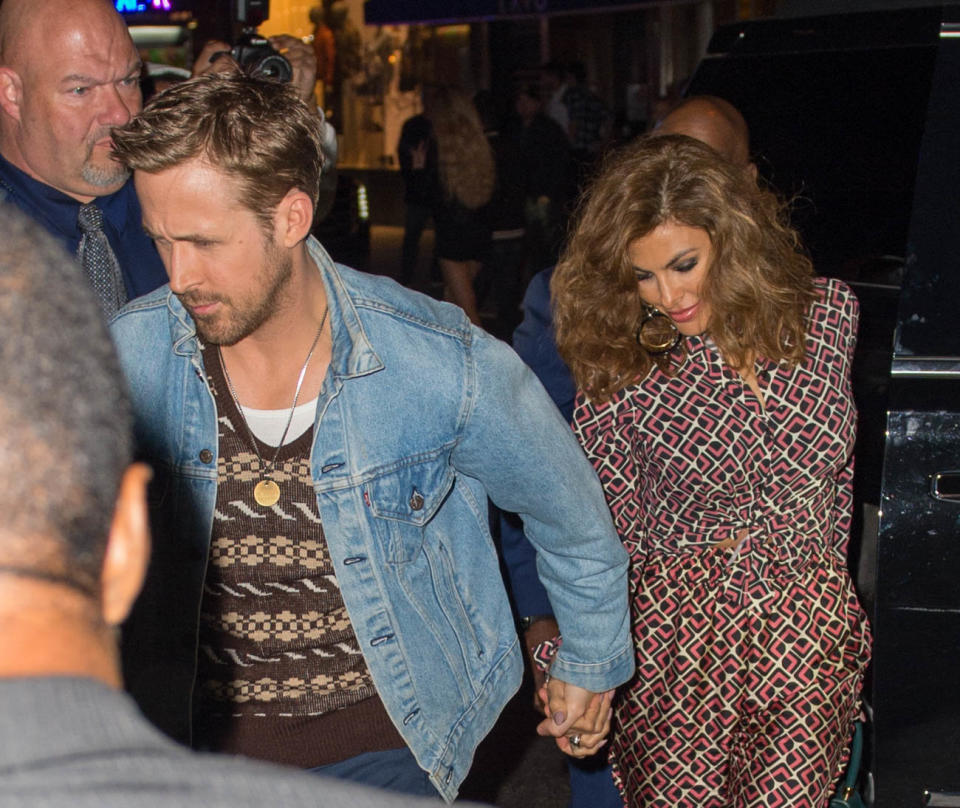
(128, 547)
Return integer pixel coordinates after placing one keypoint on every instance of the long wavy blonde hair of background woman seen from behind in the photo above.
(467, 168)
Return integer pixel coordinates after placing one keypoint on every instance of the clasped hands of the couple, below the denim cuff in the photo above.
(573, 713)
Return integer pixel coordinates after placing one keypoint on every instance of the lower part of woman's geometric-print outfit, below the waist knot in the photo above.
(731, 706)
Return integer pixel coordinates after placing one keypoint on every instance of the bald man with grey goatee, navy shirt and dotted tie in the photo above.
(69, 74)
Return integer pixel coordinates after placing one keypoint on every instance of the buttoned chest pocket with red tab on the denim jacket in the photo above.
(404, 501)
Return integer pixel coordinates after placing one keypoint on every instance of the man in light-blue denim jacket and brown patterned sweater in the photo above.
(362, 630)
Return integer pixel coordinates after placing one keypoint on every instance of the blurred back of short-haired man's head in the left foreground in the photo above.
(73, 540)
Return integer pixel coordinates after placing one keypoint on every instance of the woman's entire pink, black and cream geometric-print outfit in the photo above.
(749, 658)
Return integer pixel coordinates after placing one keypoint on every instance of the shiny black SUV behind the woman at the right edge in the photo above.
(857, 118)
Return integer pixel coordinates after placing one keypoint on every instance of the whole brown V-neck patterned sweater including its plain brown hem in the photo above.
(280, 674)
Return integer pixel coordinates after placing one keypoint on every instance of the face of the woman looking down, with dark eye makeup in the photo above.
(671, 263)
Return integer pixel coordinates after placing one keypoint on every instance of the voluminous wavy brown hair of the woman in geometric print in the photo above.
(759, 285)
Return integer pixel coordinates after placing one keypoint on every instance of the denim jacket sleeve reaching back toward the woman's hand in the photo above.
(517, 444)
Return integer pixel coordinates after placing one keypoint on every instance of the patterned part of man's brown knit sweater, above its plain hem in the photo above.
(275, 635)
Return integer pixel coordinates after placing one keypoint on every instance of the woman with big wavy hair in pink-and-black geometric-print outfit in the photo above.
(716, 407)
